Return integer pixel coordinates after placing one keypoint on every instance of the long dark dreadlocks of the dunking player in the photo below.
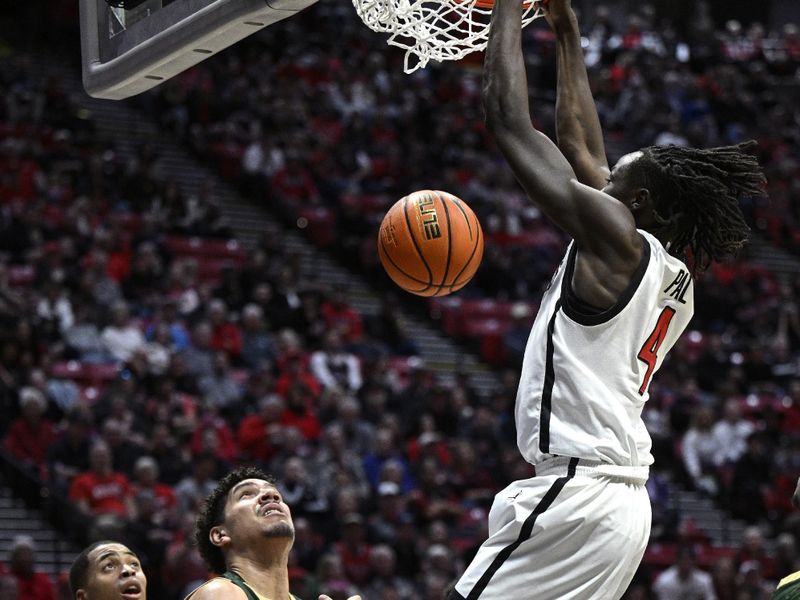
(697, 193)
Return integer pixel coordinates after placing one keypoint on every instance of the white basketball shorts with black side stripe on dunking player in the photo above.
(573, 532)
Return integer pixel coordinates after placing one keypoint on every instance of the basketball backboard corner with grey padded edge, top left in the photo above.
(128, 51)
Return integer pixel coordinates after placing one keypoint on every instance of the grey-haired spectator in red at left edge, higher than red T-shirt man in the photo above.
(30, 435)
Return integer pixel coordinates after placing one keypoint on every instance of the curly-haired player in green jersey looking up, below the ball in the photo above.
(244, 533)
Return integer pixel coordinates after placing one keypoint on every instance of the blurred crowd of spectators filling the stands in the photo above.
(144, 351)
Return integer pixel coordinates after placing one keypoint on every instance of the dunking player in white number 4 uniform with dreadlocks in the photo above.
(616, 305)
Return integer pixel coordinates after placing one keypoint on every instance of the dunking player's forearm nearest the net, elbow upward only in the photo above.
(505, 86)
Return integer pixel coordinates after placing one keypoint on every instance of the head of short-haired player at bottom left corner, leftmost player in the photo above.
(107, 570)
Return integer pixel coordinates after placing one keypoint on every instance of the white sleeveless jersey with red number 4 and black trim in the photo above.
(585, 376)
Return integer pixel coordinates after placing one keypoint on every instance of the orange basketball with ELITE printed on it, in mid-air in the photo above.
(430, 243)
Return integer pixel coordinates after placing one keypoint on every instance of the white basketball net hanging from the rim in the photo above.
(434, 29)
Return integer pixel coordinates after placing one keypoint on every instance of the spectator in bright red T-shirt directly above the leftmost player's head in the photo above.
(101, 490)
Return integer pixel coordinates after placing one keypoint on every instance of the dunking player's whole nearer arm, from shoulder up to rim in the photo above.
(602, 226)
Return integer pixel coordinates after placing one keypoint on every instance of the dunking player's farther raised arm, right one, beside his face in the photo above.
(580, 136)
